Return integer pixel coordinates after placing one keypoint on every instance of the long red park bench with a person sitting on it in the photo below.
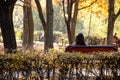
(91, 48)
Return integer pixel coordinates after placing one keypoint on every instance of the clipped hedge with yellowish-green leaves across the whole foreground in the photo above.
(59, 65)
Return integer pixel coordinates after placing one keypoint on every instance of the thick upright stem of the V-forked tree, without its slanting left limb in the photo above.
(48, 33)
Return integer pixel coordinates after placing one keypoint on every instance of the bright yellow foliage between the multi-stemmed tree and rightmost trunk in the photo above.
(100, 7)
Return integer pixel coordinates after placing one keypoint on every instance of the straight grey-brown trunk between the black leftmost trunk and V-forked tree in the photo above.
(28, 29)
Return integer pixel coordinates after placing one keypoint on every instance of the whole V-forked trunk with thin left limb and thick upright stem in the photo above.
(48, 25)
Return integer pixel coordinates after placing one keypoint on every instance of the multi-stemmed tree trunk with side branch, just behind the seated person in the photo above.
(71, 20)
